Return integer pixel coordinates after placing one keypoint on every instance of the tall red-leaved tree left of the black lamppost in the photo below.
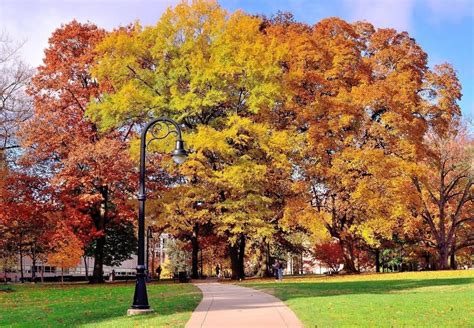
(91, 171)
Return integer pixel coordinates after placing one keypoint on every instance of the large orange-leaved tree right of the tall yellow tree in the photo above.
(364, 98)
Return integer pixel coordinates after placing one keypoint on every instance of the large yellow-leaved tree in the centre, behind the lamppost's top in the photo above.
(220, 76)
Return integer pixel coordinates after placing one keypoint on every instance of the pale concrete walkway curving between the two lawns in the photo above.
(229, 306)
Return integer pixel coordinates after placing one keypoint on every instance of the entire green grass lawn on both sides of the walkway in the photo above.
(429, 299)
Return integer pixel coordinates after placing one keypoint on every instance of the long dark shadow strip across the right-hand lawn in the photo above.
(286, 291)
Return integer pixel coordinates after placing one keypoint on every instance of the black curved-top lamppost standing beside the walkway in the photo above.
(160, 128)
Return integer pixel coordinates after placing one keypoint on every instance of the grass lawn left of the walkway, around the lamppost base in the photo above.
(94, 305)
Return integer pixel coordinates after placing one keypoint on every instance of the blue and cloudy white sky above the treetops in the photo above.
(444, 28)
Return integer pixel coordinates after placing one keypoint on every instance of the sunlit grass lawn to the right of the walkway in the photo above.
(419, 299)
